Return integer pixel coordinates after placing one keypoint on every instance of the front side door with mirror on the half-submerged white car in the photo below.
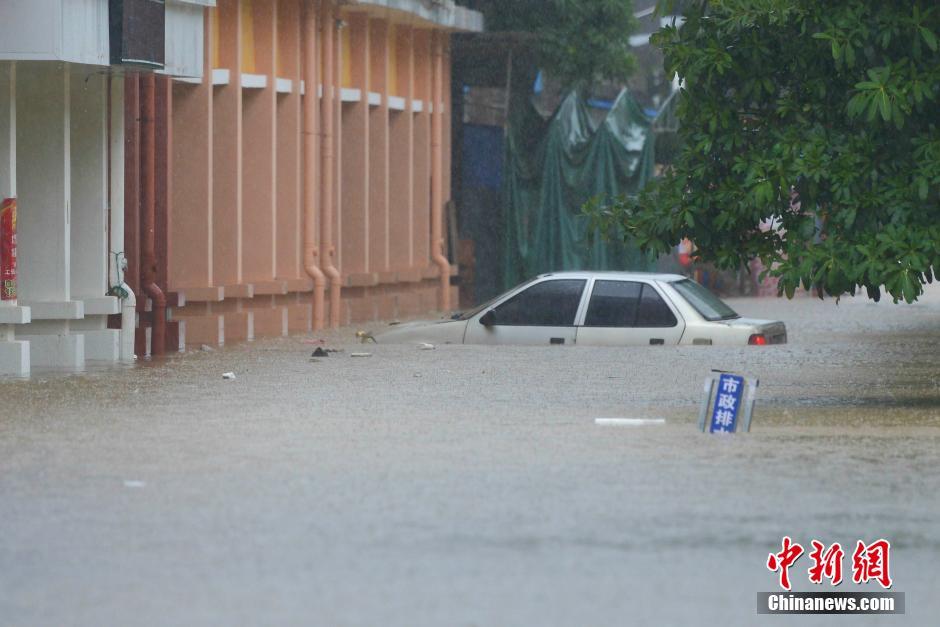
(542, 314)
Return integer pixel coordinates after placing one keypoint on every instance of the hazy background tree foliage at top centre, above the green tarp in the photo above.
(578, 42)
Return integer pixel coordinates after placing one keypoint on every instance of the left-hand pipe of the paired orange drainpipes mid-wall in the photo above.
(311, 250)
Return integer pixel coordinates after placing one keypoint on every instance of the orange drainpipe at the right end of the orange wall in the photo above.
(437, 174)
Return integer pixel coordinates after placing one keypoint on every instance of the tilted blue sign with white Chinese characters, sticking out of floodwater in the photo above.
(731, 399)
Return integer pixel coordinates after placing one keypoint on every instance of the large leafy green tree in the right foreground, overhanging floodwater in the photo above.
(821, 115)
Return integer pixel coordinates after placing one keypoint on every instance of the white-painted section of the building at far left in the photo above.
(61, 144)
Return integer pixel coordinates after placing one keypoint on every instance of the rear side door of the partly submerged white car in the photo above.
(629, 313)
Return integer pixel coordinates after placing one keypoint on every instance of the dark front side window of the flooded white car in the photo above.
(551, 303)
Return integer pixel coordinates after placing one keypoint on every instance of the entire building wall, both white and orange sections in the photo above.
(232, 190)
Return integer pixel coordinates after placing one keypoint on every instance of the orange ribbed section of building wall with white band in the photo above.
(237, 218)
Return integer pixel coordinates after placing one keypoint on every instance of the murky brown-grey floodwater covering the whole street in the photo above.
(469, 485)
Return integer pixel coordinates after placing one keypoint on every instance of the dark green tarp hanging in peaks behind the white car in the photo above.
(552, 168)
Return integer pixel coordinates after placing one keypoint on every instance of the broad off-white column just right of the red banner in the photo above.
(43, 94)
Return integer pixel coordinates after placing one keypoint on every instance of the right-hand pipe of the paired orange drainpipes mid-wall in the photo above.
(327, 206)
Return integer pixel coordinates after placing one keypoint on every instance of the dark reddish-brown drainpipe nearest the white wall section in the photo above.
(148, 255)
